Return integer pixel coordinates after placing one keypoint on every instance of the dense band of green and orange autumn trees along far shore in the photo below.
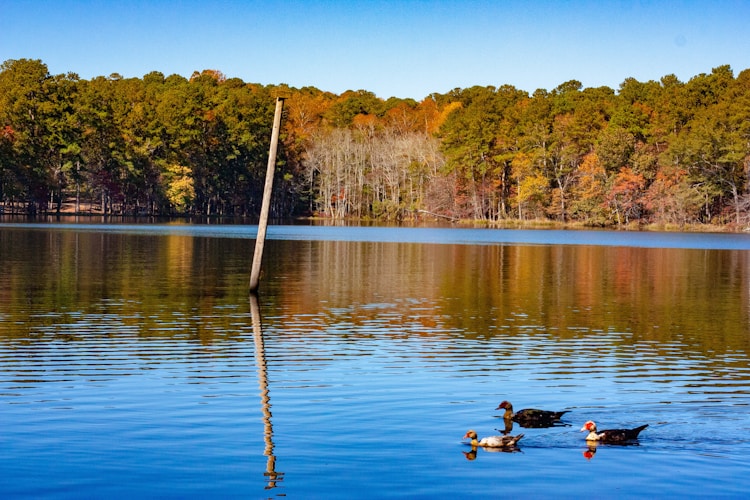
(669, 153)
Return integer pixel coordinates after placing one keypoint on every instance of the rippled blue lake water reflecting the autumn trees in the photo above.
(133, 363)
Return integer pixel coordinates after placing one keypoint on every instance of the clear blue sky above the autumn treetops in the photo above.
(392, 48)
